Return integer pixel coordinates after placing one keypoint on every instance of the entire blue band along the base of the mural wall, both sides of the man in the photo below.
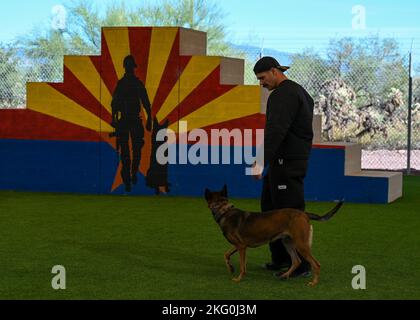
(90, 167)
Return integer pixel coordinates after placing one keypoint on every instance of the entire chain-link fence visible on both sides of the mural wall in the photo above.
(362, 99)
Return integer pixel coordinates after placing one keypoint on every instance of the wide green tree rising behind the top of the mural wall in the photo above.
(82, 33)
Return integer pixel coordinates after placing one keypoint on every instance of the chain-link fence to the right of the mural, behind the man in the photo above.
(363, 101)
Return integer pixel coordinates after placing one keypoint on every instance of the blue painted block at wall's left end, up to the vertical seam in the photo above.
(56, 166)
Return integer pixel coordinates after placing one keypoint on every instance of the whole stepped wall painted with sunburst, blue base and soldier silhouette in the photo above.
(97, 131)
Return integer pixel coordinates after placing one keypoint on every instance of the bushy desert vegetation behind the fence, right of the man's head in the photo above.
(359, 86)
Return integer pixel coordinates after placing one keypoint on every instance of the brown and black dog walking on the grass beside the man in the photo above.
(252, 229)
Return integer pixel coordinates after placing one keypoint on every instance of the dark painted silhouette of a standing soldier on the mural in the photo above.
(127, 99)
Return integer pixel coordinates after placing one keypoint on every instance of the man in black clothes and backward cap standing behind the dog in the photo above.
(287, 144)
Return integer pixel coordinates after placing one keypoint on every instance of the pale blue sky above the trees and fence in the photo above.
(288, 26)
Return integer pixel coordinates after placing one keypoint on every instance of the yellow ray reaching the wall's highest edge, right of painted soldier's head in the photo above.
(160, 47)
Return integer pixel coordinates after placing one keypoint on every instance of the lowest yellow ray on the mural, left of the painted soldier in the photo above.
(45, 99)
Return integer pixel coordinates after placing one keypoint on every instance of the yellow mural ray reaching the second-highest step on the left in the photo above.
(84, 70)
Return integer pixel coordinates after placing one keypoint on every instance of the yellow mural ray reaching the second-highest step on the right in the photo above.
(197, 69)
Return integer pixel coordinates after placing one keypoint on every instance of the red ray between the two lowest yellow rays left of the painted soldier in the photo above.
(76, 91)
